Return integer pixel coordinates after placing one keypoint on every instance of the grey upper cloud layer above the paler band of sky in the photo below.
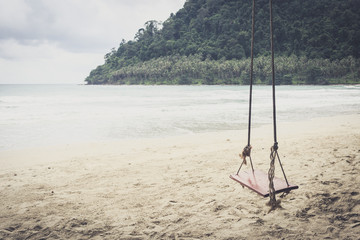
(78, 25)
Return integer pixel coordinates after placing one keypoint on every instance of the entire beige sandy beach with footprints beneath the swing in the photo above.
(179, 187)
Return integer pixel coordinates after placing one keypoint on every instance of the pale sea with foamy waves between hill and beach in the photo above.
(37, 115)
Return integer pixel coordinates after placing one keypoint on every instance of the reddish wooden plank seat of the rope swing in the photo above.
(258, 182)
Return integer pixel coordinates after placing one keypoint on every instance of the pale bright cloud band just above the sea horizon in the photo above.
(45, 63)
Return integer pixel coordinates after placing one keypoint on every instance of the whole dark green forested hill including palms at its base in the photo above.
(208, 42)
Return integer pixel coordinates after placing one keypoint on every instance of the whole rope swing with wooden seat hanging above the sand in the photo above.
(258, 181)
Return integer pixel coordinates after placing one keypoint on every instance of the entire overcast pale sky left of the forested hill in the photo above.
(61, 41)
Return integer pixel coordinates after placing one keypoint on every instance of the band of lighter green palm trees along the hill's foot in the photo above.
(193, 70)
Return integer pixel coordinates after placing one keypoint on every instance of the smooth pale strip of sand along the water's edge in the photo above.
(263, 132)
